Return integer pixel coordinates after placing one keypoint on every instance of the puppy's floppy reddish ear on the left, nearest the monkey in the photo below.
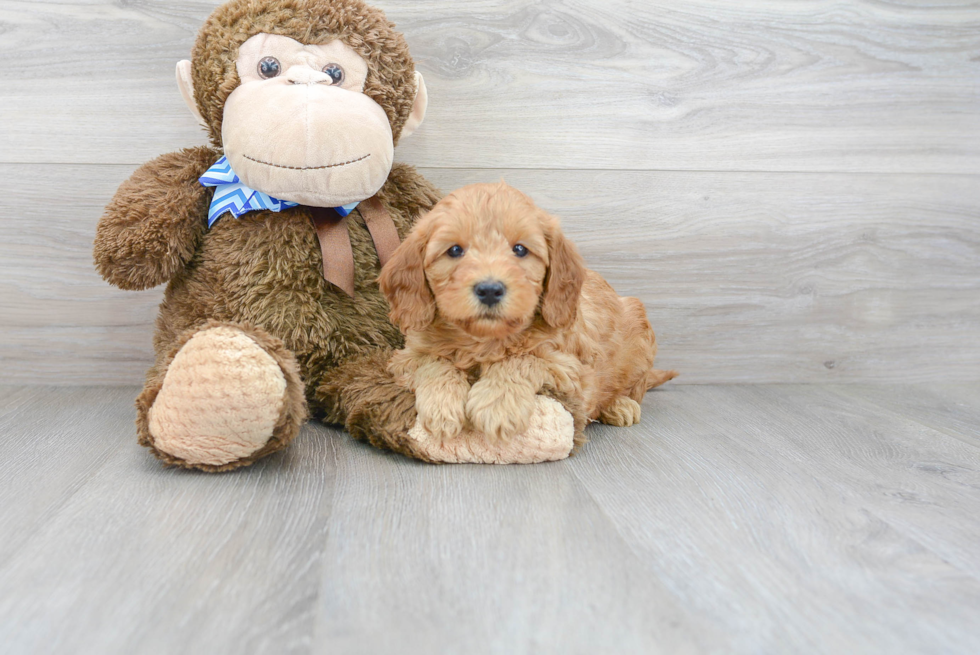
(403, 283)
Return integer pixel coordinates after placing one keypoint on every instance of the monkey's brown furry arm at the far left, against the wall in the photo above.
(152, 226)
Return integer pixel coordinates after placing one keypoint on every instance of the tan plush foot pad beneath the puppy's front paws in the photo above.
(549, 438)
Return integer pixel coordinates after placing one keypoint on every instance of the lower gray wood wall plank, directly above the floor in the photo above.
(747, 277)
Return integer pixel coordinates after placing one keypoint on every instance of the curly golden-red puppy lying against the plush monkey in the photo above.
(497, 306)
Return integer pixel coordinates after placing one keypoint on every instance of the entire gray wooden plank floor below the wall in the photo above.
(744, 519)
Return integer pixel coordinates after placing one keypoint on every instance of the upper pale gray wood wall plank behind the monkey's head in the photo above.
(700, 85)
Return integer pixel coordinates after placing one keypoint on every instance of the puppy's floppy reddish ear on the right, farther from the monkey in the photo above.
(563, 284)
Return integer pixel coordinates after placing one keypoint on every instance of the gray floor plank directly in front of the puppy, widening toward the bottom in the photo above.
(469, 559)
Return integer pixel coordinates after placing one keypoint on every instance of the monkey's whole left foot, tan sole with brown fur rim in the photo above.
(229, 396)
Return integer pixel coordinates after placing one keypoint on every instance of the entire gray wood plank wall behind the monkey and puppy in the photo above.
(793, 188)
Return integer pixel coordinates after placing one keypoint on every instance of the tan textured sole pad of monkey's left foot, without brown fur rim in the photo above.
(220, 399)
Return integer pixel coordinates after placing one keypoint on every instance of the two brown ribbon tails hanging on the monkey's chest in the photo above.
(338, 257)
